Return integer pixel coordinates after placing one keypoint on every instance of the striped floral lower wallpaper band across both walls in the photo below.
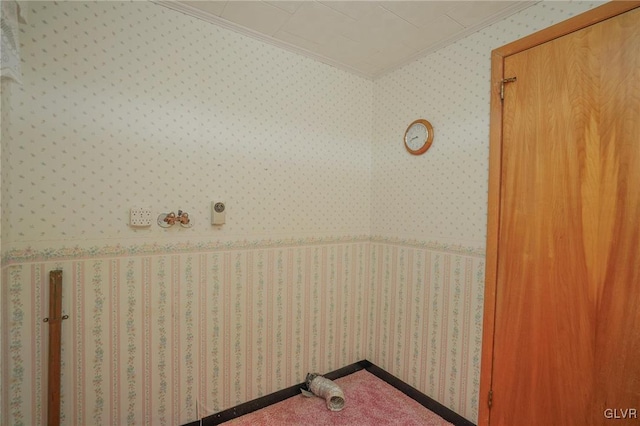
(163, 338)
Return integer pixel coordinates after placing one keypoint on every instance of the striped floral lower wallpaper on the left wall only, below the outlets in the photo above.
(162, 338)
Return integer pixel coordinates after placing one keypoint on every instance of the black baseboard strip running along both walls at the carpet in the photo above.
(281, 395)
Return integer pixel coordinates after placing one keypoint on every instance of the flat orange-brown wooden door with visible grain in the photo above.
(566, 342)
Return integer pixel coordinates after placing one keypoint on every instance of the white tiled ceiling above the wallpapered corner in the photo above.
(369, 38)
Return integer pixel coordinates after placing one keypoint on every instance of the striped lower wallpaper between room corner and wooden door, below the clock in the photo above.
(426, 308)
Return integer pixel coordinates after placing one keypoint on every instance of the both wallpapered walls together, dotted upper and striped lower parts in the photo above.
(127, 104)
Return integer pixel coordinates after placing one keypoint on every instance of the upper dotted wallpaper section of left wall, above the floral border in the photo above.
(128, 105)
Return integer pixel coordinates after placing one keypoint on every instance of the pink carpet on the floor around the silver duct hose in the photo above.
(368, 401)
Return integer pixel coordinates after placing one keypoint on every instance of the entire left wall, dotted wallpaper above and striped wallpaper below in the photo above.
(131, 104)
